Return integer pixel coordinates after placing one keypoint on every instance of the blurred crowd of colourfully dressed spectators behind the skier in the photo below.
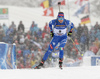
(32, 45)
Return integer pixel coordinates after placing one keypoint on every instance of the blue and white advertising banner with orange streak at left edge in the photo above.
(7, 56)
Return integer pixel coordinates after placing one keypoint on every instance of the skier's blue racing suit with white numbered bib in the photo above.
(60, 36)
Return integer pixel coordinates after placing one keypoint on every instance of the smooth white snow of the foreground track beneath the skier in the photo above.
(84, 72)
